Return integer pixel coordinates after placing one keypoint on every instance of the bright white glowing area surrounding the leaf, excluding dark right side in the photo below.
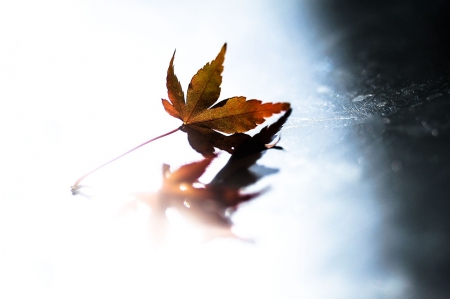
(81, 81)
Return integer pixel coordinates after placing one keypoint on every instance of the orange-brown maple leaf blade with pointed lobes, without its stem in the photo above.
(203, 118)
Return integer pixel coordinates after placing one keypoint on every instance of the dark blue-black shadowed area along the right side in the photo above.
(398, 53)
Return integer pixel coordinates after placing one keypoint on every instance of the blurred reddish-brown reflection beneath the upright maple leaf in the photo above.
(210, 206)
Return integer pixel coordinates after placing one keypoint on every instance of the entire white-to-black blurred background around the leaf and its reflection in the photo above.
(358, 206)
